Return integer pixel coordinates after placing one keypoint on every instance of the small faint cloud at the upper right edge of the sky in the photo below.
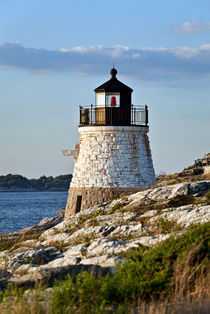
(192, 27)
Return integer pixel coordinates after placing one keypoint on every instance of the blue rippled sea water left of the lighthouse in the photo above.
(19, 210)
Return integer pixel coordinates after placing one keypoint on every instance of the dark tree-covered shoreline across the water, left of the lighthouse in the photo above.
(17, 182)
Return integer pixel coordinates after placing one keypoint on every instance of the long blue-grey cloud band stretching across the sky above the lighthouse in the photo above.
(147, 63)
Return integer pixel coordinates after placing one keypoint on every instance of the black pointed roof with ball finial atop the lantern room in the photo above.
(113, 85)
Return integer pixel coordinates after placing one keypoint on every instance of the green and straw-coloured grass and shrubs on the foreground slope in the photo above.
(172, 273)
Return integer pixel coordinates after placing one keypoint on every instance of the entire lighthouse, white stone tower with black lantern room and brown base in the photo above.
(113, 156)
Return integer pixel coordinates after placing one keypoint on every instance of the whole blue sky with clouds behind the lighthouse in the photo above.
(54, 53)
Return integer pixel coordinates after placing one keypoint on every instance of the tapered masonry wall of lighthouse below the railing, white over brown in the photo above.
(110, 157)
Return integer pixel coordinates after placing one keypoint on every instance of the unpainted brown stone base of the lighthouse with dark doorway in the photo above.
(80, 199)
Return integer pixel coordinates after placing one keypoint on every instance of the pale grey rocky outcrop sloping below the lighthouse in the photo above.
(98, 238)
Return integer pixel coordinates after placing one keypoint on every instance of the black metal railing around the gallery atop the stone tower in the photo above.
(133, 115)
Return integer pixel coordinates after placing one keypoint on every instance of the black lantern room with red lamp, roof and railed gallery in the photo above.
(113, 106)
